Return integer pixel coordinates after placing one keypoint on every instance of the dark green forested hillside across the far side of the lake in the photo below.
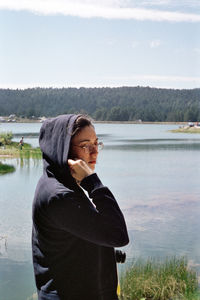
(104, 104)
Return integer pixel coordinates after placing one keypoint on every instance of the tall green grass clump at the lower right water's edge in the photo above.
(160, 280)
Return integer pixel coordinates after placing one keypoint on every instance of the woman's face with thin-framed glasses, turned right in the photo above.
(87, 136)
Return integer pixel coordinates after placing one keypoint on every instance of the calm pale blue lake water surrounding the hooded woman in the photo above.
(154, 175)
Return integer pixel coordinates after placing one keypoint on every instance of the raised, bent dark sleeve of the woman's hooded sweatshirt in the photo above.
(102, 224)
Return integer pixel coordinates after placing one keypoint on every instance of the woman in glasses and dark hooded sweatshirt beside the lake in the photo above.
(76, 219)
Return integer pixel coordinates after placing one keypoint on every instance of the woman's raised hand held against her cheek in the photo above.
(79, 169)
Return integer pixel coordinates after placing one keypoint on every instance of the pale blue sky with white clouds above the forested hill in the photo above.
(100, 43)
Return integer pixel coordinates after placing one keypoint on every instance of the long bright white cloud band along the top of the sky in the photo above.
(109, 9)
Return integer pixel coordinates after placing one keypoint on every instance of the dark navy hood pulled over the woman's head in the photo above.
(54, 140)
